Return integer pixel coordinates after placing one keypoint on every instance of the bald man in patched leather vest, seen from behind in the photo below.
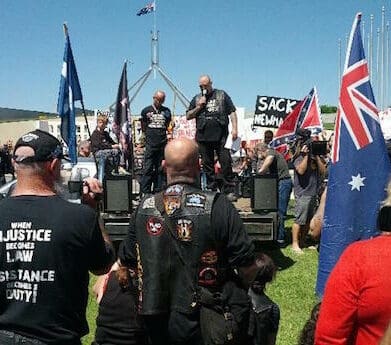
(184, 242)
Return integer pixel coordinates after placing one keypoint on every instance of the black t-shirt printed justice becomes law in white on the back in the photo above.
(47, 247)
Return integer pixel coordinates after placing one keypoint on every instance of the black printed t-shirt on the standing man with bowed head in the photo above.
(155, 121)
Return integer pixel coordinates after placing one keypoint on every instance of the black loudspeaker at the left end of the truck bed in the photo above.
(117, 193)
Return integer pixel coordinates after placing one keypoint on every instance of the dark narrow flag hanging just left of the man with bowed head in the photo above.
(121, 121)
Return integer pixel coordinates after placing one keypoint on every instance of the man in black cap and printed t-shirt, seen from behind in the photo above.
(48, 246)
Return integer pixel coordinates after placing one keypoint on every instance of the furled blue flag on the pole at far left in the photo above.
(69, 93)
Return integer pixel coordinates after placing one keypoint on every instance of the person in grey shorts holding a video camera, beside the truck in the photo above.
(309, 170)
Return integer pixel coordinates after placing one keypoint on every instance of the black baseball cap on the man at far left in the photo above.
(46, 147)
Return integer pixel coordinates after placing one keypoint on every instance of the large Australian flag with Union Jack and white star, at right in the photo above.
(360, 166)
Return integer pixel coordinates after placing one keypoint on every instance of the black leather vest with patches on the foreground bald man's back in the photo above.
(176, 249)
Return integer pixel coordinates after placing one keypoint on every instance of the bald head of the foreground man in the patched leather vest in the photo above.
(181, 160)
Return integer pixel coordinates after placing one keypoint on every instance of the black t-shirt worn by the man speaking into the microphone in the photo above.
(212, 130)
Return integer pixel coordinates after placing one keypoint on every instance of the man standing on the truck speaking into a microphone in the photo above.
(212, 109)
